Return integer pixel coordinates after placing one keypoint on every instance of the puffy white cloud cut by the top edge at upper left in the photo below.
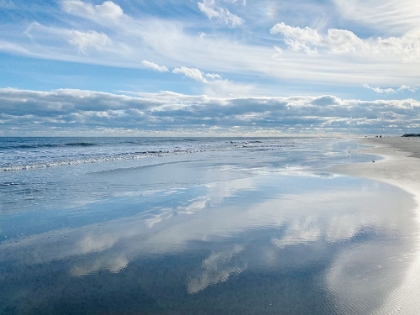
(105, 11)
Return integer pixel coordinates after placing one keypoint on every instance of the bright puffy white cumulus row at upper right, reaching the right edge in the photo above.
(338, 41)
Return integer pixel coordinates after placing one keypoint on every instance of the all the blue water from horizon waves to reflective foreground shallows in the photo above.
(196, 226)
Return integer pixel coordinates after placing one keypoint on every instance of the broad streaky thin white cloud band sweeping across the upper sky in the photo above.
(134, 40)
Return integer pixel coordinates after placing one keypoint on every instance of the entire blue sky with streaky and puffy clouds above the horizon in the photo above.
(209, 67)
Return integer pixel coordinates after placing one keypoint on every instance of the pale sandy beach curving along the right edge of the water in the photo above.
(400, 167)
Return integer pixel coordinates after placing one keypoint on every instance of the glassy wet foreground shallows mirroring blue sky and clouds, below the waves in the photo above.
(268, 243)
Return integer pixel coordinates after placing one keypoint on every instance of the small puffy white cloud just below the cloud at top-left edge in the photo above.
(91, 39)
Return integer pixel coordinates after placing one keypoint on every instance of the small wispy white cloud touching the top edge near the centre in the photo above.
(220, 14)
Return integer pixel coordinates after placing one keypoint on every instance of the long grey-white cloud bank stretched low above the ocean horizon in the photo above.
(72, 110)
